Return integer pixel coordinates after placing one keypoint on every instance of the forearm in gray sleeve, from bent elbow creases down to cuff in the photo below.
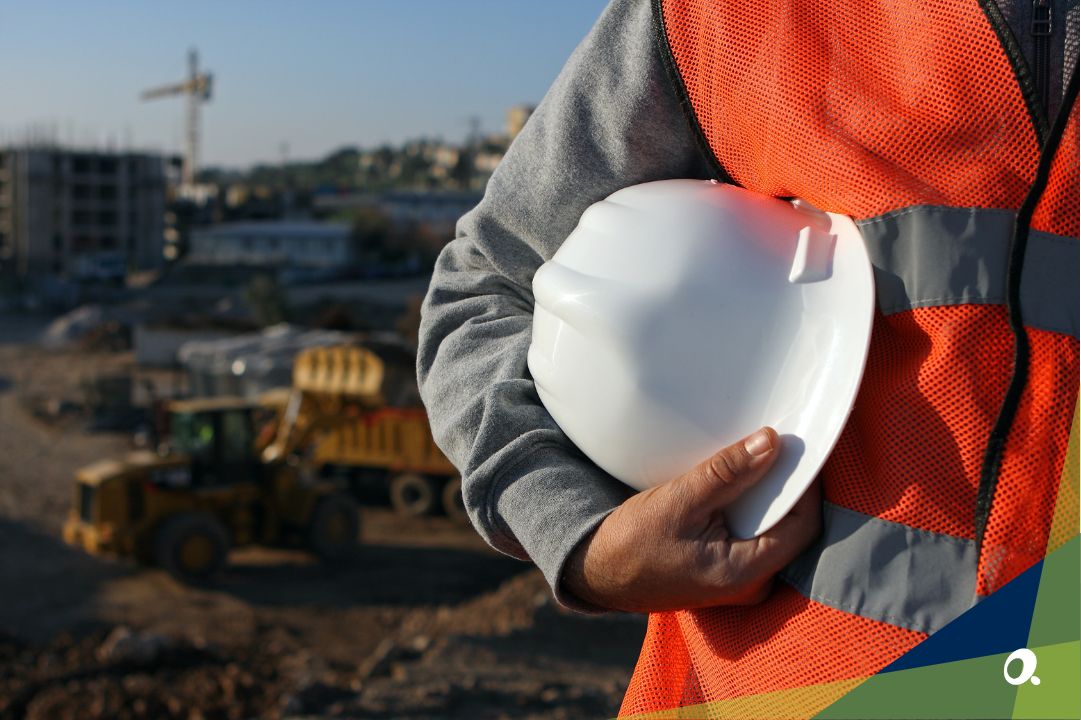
(528, 490)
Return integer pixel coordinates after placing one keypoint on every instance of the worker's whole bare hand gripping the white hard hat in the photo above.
(670, 549)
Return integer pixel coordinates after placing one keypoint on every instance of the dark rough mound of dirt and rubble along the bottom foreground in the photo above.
(481, 660)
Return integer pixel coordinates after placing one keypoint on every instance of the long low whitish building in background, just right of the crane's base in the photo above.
(295, 244)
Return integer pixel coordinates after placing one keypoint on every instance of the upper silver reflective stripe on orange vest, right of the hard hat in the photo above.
(928, 256)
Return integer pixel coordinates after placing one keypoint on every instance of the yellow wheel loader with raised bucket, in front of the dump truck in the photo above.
(232, 473)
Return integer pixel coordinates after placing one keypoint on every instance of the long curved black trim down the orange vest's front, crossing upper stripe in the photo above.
(997, 442)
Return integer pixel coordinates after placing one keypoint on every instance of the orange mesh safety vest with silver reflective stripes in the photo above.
(919, 121)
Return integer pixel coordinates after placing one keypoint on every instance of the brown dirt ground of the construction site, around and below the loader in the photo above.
(425, 622)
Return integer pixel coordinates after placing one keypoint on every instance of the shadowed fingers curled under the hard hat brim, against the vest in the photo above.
(769, 553)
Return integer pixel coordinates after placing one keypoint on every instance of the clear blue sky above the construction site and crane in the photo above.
(316, 75)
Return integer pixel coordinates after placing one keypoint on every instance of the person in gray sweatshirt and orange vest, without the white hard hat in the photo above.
(949, 130)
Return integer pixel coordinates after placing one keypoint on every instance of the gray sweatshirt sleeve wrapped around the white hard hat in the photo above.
(612, 119)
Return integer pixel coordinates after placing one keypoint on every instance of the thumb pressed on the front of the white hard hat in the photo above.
(723, 477)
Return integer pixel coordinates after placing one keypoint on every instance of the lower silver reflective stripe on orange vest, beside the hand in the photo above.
(887, 572)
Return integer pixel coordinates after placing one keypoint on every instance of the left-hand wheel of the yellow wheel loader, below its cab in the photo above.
(192, 546)
